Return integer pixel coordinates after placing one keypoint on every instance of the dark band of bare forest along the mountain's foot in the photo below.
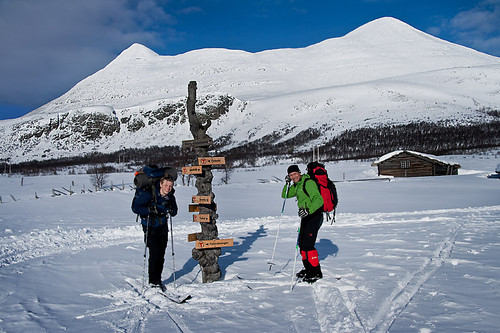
(363, 143)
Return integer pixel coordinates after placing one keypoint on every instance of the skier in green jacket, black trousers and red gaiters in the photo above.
(310, 204)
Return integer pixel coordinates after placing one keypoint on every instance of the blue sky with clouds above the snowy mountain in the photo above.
(47, 46)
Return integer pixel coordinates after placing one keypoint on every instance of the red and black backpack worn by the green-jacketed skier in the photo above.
(326, 187)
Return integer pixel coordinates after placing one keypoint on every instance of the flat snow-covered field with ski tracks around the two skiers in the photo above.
(406, 255)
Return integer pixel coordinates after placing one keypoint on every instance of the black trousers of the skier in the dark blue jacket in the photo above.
(156, 240)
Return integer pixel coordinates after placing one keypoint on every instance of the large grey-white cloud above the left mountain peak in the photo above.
(47, 46)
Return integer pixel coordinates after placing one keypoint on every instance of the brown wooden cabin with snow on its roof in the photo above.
(406, 163)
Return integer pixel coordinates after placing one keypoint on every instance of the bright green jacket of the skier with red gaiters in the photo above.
(311, 202)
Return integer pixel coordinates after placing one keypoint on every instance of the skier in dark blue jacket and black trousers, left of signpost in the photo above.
(154, 205)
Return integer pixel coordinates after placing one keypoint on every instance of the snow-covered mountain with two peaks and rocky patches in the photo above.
(385, 72)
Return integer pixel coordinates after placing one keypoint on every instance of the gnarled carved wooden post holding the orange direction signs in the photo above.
(207, 258)
